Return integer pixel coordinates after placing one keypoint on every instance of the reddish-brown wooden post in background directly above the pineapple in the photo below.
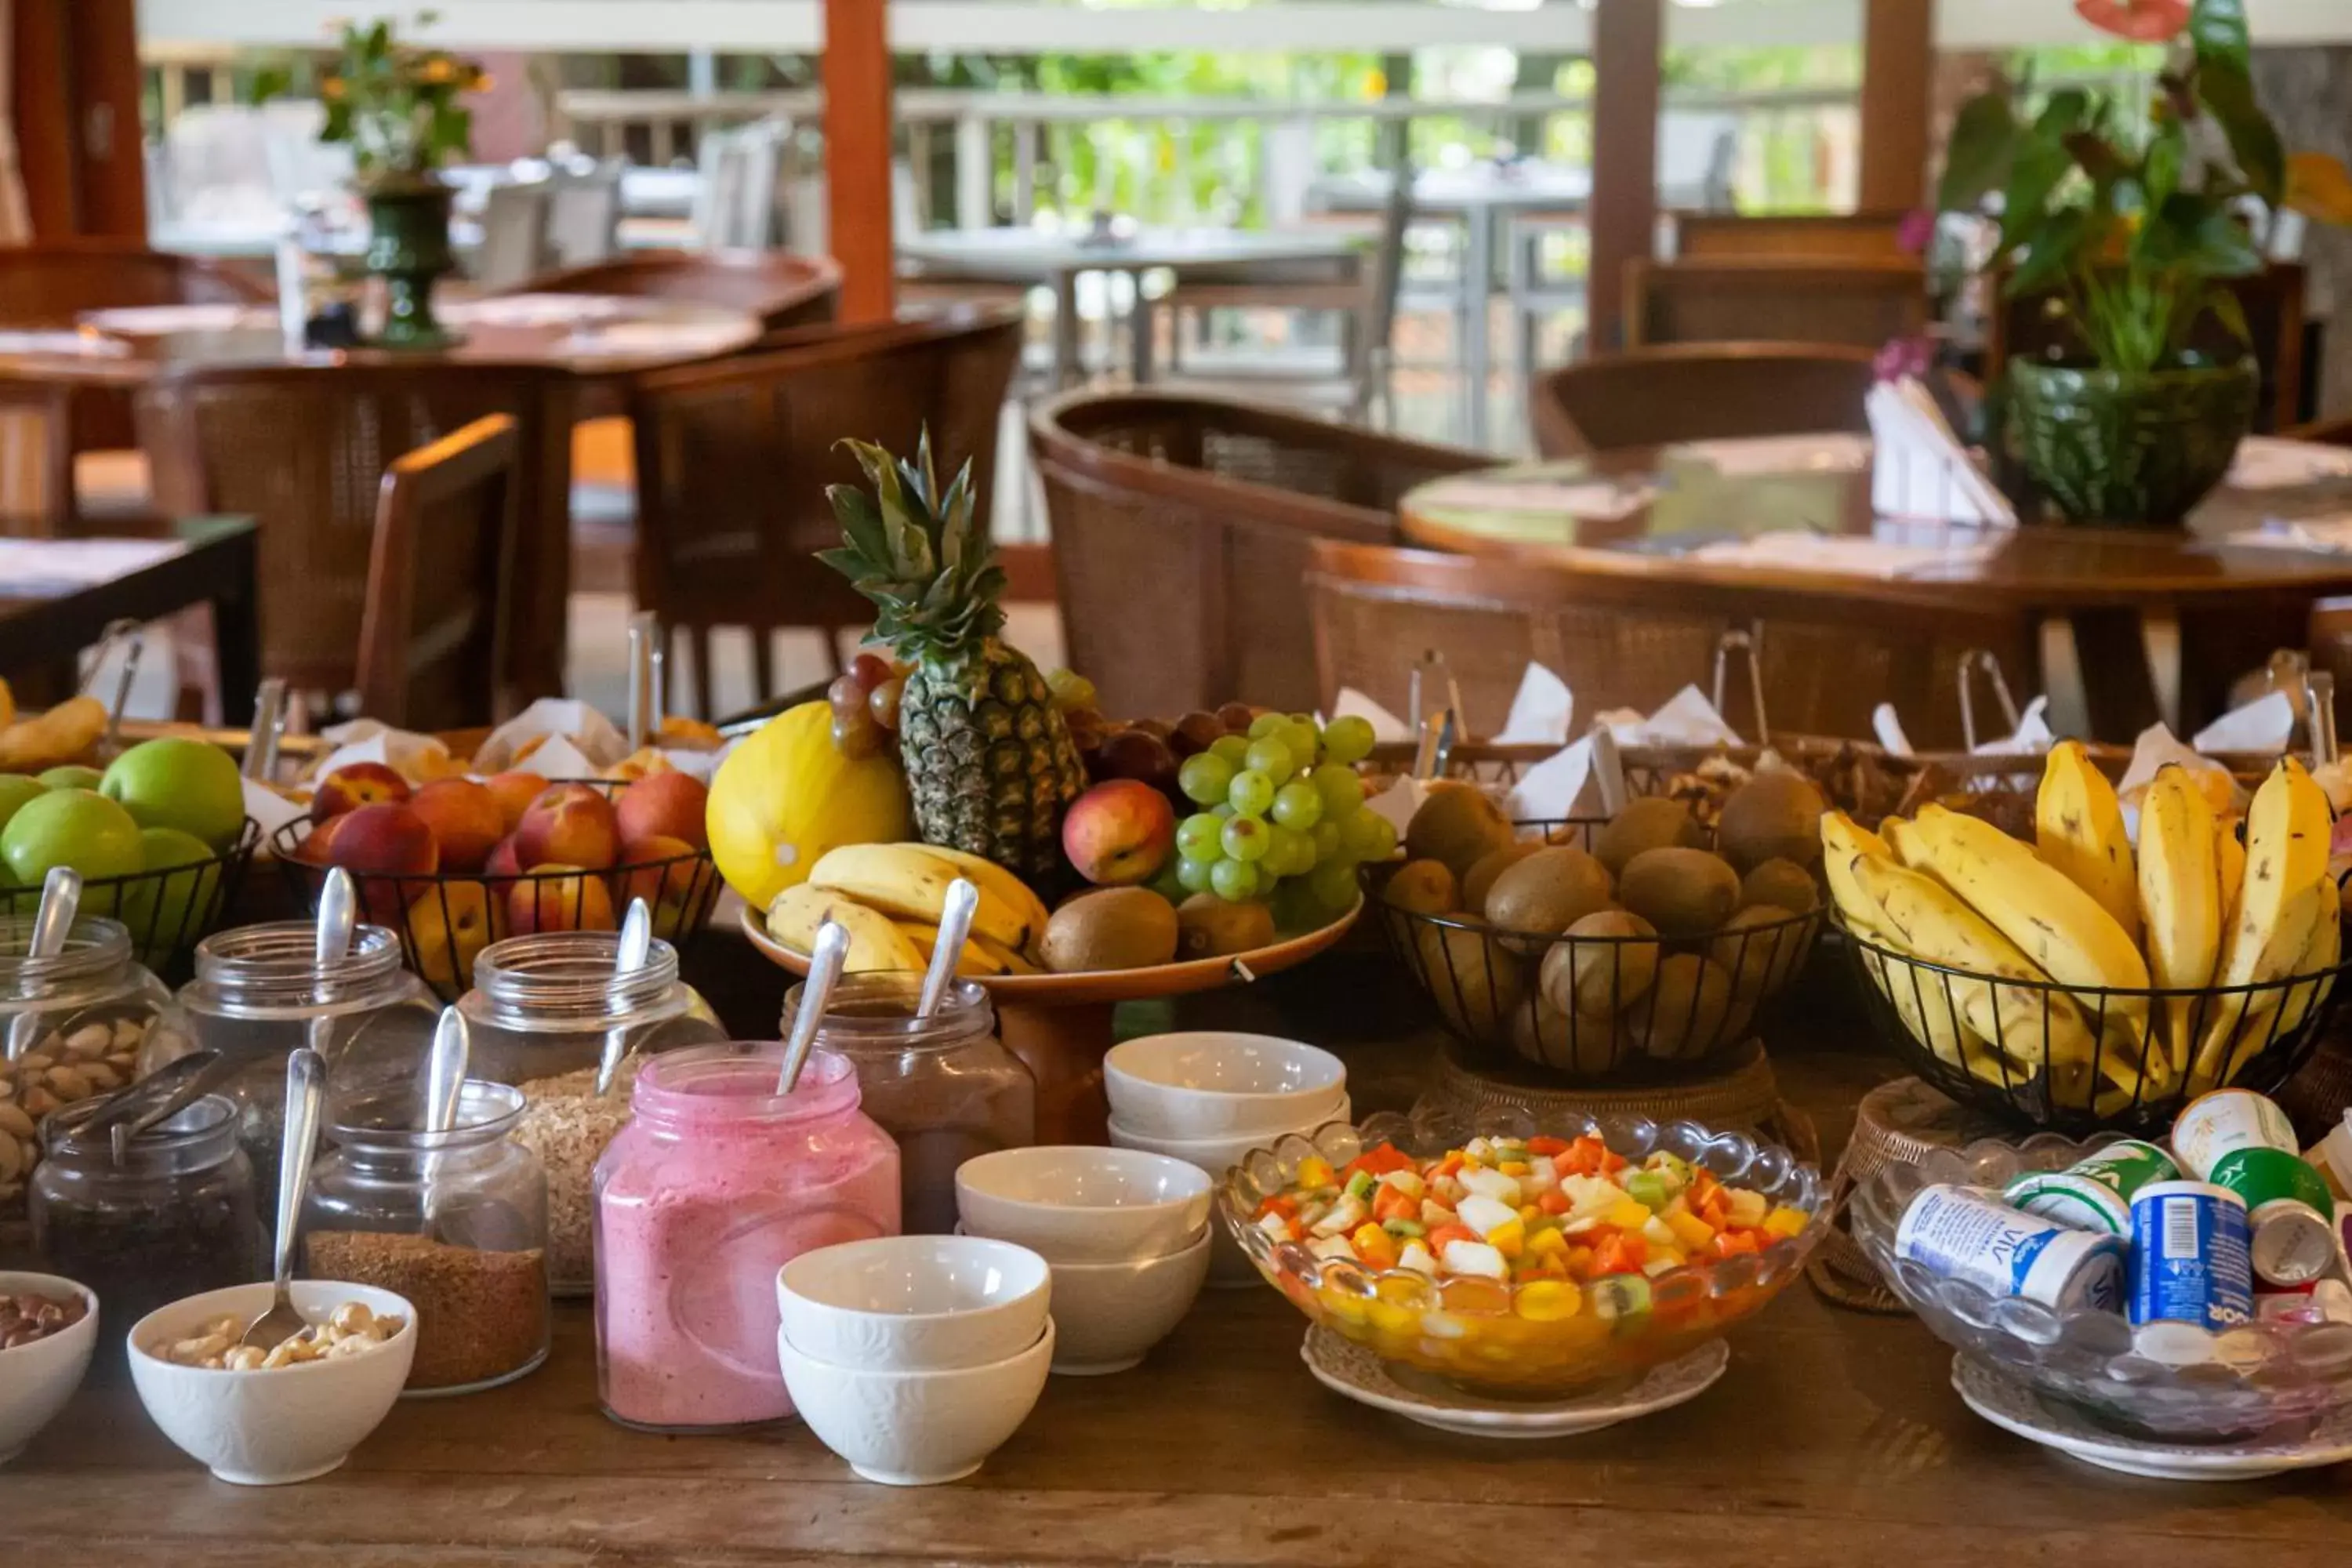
(857, 154)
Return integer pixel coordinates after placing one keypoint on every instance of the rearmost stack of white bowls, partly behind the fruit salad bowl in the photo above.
(1212, 1097)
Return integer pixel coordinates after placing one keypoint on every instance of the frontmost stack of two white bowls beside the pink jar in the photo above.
(916, 1358)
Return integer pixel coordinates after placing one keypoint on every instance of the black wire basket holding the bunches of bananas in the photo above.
(2078, 1059)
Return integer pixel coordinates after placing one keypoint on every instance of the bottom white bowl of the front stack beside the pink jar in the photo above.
(916, 1428)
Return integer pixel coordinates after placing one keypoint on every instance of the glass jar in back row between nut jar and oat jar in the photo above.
(260, 993)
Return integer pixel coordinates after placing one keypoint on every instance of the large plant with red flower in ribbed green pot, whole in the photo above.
(2132, 229)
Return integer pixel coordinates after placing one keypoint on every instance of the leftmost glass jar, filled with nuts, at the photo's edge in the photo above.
(72, 1026)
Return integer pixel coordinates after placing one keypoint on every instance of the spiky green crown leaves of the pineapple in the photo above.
(916, 551)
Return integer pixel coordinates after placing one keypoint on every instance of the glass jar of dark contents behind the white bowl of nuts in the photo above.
(171, 1221)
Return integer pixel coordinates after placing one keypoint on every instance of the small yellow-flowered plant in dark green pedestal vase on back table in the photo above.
(399, 109)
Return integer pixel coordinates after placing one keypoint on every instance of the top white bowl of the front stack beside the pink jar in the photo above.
(914, 1304)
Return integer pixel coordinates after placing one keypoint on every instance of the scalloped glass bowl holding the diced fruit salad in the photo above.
(1490, 1334)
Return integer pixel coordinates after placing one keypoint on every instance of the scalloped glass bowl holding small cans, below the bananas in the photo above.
(2226, 1386)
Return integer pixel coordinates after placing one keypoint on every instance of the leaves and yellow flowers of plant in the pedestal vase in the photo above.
(394, 102)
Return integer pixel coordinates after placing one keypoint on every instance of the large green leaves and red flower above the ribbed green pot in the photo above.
(2137, 227)
